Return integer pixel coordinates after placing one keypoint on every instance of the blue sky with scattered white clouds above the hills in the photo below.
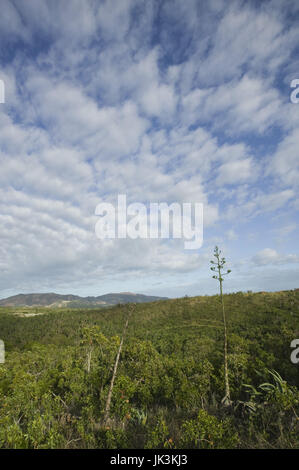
(163, 101)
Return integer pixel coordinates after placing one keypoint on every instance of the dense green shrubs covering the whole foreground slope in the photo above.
(170, 377)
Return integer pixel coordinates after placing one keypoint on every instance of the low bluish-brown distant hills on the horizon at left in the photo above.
(57, 300)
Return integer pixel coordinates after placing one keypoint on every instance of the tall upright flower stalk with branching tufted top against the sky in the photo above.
(218, 267)
